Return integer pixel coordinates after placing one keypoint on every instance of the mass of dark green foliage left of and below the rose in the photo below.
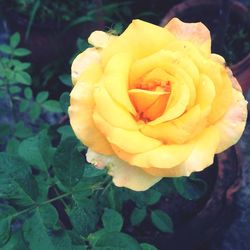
(50, 197)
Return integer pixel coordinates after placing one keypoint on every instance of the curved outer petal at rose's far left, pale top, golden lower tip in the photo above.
(80, 113)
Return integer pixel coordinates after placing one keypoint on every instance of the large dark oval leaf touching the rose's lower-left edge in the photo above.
(68, 163)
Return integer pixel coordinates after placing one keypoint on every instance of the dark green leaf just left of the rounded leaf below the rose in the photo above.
(84, 217)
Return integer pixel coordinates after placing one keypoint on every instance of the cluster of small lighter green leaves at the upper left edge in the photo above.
(22, 110)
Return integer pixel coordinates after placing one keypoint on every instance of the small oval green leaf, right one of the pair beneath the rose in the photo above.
(162, 221)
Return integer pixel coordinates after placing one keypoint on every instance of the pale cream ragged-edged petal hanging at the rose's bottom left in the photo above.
(124, 175)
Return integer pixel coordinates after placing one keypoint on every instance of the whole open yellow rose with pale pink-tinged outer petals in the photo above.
(154, 102)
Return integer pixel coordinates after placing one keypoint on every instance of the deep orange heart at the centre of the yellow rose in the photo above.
(150, 99)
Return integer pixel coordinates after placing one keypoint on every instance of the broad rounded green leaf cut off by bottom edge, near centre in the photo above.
(116, 240)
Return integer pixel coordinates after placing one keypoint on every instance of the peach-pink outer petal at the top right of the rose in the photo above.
(197, 33)
